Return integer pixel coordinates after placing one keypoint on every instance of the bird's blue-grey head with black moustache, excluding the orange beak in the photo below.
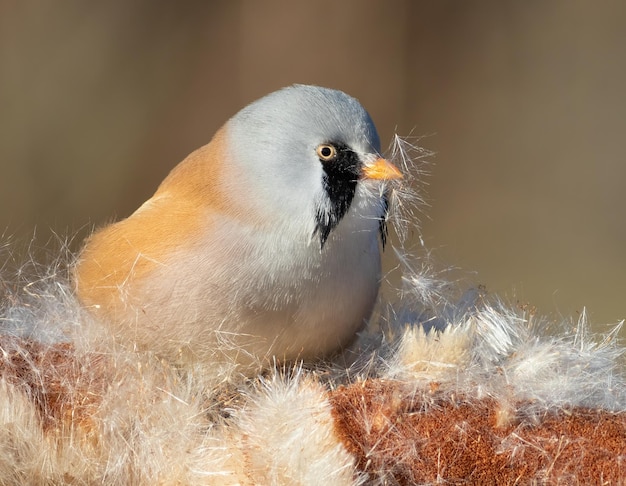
(302, 150)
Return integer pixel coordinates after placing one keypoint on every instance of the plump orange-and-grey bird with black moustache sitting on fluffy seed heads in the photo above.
(265, 244)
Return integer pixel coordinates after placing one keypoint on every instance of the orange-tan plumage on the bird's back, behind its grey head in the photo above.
(124, 253)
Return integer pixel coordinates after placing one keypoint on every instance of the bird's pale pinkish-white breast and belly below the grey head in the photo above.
(268, 292)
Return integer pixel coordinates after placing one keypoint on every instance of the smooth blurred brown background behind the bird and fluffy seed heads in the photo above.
(523, 103)
